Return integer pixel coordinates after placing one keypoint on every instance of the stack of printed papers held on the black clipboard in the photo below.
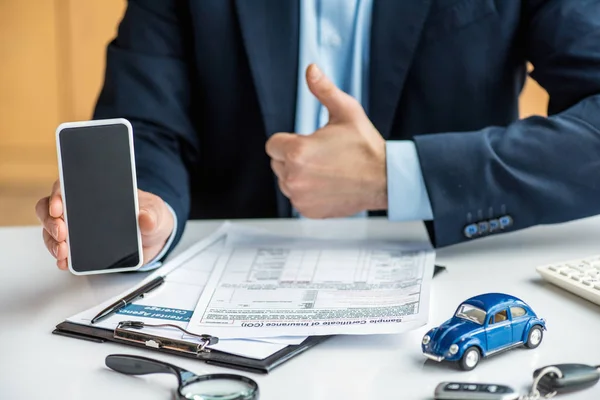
(258, 292)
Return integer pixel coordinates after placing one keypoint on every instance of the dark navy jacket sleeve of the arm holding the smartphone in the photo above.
(147, 81)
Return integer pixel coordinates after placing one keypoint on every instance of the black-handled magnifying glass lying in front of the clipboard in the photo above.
(191, 386)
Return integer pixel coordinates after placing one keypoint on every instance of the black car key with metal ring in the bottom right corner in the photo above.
(575, 377)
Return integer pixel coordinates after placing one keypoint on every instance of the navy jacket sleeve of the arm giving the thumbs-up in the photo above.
(537, 170)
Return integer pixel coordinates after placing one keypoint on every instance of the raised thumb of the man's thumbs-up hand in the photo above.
(341, 106)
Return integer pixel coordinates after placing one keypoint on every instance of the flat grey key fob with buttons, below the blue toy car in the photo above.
(474, 391)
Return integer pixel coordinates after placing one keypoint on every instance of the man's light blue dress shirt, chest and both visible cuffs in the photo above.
(336, 35)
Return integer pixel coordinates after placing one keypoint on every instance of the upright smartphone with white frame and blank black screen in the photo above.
(99, 191)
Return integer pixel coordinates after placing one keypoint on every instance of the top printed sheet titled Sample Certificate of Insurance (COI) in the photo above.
(273, 286)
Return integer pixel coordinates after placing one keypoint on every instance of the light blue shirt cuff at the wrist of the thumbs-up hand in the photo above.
(407, 195)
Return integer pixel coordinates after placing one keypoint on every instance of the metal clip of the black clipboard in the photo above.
(129, 331)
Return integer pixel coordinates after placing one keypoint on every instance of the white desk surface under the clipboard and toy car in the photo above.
(35, 296)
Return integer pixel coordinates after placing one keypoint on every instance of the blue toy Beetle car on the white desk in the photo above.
(482, 326)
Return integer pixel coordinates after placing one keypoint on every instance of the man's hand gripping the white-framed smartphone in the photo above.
(155, 221)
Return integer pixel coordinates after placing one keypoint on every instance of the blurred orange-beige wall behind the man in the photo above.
(51, 68)
